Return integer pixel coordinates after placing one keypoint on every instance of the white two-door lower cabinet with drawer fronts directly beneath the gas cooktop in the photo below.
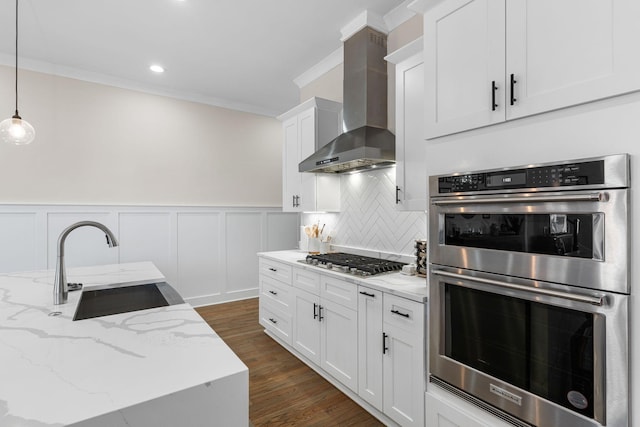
(326, 332)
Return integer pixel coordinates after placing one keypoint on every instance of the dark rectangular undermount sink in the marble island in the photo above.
(124, 299)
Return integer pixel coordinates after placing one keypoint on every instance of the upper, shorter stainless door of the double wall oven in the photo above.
(576, 237)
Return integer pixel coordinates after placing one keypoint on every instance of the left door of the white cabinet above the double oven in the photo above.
(464, 47)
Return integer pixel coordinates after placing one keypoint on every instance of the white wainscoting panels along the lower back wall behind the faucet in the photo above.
(207, 253)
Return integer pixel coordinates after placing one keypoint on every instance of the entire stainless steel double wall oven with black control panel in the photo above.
(529, 291)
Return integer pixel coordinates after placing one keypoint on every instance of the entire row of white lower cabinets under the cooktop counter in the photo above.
(370, 341)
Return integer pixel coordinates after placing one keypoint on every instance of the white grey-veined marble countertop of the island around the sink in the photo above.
(55, 371)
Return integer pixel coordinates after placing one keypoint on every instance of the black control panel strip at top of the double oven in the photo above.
(550, 175)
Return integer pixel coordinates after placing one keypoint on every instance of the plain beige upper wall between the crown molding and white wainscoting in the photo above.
(98, 144)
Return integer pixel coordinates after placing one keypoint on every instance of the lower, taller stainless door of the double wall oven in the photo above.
(547, 354)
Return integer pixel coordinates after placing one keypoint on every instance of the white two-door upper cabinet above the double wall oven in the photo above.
(491, 61)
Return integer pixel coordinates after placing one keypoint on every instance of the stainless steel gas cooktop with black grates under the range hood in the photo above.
(353, 264)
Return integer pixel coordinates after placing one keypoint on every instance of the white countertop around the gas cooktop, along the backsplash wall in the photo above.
(410, 287)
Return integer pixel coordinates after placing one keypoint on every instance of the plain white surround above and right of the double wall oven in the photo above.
(605, 127)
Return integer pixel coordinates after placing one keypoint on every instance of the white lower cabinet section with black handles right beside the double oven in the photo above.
(391, 346)
